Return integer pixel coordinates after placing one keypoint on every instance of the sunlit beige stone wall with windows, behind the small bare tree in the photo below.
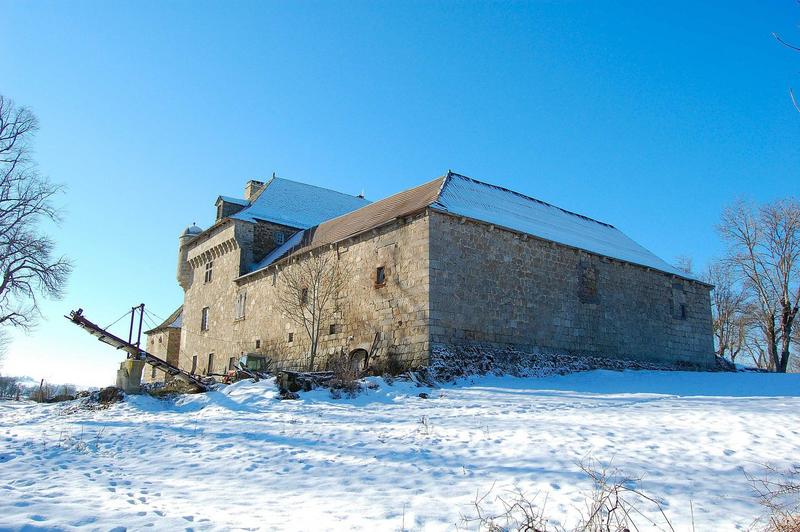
(396, 311)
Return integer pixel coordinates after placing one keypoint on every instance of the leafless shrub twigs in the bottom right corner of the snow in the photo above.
(779, 495)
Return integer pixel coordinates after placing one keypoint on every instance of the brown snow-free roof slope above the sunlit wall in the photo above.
(372, 216)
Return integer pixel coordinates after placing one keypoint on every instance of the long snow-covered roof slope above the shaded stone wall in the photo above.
(464, 196)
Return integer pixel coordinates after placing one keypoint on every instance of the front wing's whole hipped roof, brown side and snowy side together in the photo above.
(466, 197)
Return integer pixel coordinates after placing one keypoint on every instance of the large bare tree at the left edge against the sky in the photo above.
(28, 269)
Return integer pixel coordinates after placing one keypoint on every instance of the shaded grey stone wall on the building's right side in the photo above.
(498, 287)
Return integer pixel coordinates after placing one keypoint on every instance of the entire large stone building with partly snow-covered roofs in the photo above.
(452, 261)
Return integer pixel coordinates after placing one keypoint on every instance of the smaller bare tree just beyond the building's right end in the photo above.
(729, 306)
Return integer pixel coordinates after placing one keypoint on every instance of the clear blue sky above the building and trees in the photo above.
(650, 116)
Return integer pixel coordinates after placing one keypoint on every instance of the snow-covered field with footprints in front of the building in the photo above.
(239, 459)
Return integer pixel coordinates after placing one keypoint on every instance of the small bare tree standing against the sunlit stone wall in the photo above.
(308, 294)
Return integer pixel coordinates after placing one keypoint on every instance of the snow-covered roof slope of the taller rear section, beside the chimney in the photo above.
(294, 204)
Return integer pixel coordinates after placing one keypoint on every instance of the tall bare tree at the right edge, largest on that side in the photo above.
(764, 250)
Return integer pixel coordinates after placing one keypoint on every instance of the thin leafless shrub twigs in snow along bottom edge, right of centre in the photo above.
(615, 504)
